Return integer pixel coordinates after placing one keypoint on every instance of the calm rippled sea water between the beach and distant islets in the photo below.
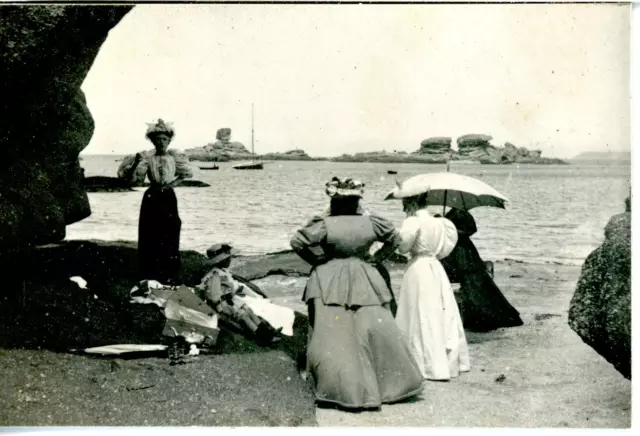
(555, 214)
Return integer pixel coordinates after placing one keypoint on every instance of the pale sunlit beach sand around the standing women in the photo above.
(551, 378)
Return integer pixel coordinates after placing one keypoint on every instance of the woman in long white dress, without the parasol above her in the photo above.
(427, 310)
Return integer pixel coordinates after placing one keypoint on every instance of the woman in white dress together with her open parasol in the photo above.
(427, 310)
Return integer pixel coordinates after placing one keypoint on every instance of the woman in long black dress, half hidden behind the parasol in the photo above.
(482, 305)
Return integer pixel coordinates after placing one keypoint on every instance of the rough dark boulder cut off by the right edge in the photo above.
(600, 310)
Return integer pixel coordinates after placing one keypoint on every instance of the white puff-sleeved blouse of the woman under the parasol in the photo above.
(426, 235)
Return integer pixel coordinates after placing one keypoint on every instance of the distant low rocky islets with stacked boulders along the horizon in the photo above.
(472, 148)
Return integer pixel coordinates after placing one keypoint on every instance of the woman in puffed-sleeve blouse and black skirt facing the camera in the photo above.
(160, 224)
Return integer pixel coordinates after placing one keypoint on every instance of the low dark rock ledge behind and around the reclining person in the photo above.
(110, 269)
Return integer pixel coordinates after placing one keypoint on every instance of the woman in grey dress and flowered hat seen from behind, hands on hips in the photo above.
(356, 355)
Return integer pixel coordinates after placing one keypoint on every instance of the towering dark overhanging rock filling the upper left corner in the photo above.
(47, 52)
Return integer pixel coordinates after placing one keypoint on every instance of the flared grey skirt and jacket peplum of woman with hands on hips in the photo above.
(356, 355)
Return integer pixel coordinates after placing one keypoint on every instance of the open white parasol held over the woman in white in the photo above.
(449, 190)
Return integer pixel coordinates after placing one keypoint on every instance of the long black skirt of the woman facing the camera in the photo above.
(159, 235)
